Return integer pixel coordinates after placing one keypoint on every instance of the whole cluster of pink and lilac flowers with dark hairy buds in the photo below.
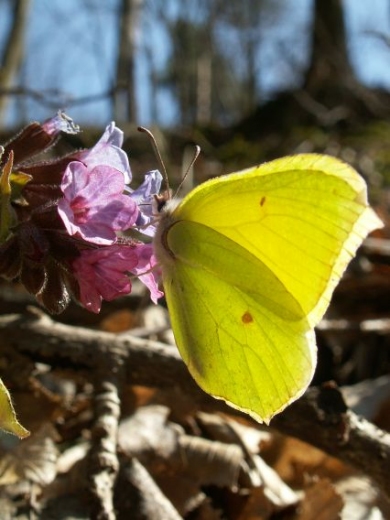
(65, 224)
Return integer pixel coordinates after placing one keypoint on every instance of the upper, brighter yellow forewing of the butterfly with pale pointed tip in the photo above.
(303, 216)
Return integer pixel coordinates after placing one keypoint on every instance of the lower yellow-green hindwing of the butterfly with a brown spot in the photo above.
(237, 344)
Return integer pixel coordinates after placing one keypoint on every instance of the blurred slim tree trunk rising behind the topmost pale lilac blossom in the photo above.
(125, 101)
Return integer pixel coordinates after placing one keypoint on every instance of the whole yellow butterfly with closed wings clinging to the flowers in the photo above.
(249, 262)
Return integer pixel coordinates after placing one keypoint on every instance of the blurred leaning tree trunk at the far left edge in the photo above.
(12, 58)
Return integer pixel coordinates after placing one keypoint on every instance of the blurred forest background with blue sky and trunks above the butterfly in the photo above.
(247, 80)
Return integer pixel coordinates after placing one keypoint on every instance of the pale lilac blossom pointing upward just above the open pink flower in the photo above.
(108, 151)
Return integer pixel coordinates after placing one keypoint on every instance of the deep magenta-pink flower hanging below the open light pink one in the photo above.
(102, 274)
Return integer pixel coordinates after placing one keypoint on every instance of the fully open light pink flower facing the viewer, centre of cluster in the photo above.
(94, 206)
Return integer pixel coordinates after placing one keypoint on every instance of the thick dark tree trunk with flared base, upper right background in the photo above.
(330, 66)
